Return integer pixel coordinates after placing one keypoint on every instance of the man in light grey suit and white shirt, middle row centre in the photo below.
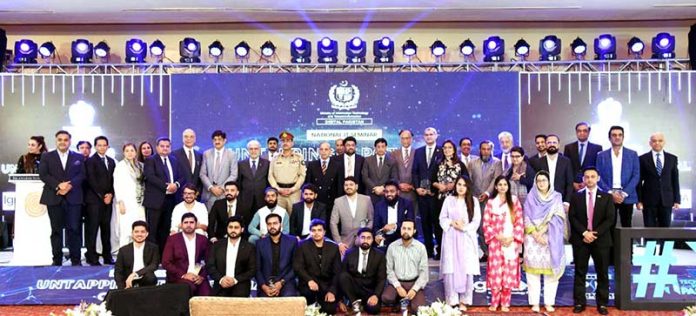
(352, 211)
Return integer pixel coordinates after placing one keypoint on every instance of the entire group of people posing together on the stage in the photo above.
(211, 215)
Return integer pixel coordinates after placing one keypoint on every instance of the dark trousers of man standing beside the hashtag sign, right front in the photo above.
(600, 256)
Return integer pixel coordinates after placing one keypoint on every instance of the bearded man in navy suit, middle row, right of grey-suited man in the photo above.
(390, 212)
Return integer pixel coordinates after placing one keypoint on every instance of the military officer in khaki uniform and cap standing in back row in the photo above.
(287, 173)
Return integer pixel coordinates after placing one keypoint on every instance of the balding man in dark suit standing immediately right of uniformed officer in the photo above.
(323, 174)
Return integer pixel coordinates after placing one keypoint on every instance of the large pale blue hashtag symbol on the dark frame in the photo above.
(662, 278)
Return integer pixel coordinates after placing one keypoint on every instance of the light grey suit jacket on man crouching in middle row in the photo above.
(342, 215)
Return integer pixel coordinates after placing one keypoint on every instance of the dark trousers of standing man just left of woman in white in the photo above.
(98, 217)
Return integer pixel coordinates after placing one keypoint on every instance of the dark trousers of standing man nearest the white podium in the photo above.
(66, 216)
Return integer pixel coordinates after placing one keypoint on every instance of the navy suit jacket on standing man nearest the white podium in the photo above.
(51, 173)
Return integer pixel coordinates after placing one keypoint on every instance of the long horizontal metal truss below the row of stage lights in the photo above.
(634, 65)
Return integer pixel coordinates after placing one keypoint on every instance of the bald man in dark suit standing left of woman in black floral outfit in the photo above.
(426, 159)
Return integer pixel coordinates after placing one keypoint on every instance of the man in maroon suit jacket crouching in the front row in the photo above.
(175, 259)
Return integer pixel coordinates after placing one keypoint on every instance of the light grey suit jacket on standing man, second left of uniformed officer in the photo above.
(227, 171)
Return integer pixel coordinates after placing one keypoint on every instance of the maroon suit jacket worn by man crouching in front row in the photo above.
(175, 256)
